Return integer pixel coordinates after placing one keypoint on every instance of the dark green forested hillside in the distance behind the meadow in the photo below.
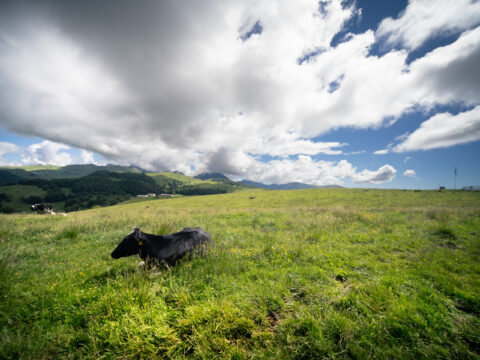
(100, 188)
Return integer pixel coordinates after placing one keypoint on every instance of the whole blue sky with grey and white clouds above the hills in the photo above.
(366, 93)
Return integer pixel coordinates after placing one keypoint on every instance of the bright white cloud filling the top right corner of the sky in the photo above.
(423, 19)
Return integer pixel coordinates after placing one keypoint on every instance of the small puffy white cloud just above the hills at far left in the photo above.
(47, 152)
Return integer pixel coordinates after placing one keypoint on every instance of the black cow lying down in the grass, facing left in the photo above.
(168, 248)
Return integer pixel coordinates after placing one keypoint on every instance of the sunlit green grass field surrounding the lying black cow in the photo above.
(308, 274)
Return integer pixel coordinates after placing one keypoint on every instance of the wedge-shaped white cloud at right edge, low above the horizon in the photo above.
(444, 130)
